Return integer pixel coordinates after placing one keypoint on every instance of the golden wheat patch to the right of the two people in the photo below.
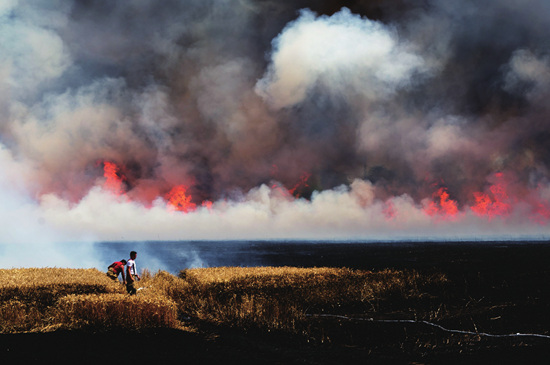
(281, 297)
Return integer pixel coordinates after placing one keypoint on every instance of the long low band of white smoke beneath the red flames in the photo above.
(268, 213)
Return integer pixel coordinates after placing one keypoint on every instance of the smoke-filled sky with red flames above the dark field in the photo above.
(263, 119)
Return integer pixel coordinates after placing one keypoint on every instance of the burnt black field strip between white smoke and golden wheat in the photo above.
(459, 256)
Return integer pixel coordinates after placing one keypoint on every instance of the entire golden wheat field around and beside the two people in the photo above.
(39, 300)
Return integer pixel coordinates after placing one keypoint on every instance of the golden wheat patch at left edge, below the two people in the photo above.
(50, 298)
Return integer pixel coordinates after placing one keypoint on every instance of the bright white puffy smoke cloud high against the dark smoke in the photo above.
(343, 54)
